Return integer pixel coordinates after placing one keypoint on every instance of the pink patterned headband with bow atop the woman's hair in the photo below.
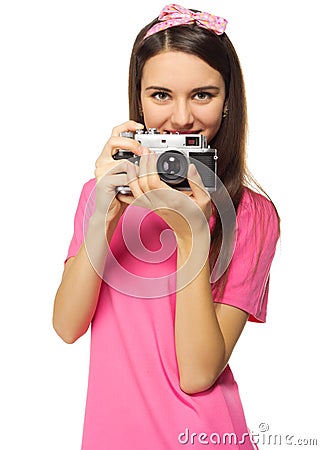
(173, 15)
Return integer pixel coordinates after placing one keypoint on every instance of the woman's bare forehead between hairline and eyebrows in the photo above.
(179, 69)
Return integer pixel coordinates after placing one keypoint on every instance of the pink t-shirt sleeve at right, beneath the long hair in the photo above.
(248, 275)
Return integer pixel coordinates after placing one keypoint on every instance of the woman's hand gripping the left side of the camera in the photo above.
(111, 173)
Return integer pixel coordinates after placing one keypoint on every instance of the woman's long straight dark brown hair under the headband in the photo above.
(218, 52)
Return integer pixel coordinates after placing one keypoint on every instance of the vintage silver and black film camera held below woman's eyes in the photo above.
(175, 152)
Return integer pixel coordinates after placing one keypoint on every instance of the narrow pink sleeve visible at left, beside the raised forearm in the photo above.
(84, 210)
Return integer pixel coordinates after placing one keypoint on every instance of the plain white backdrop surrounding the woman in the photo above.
(63, 87)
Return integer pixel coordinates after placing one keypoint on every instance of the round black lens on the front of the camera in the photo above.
(172, 167)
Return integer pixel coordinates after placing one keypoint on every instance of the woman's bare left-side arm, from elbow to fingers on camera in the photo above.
(77, 296)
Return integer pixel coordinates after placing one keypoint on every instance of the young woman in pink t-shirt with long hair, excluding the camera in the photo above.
(139, 266)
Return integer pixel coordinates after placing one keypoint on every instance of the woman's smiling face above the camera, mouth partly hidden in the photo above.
(181, 93)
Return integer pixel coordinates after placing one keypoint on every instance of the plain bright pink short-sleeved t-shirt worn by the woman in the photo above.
(134, 401)
